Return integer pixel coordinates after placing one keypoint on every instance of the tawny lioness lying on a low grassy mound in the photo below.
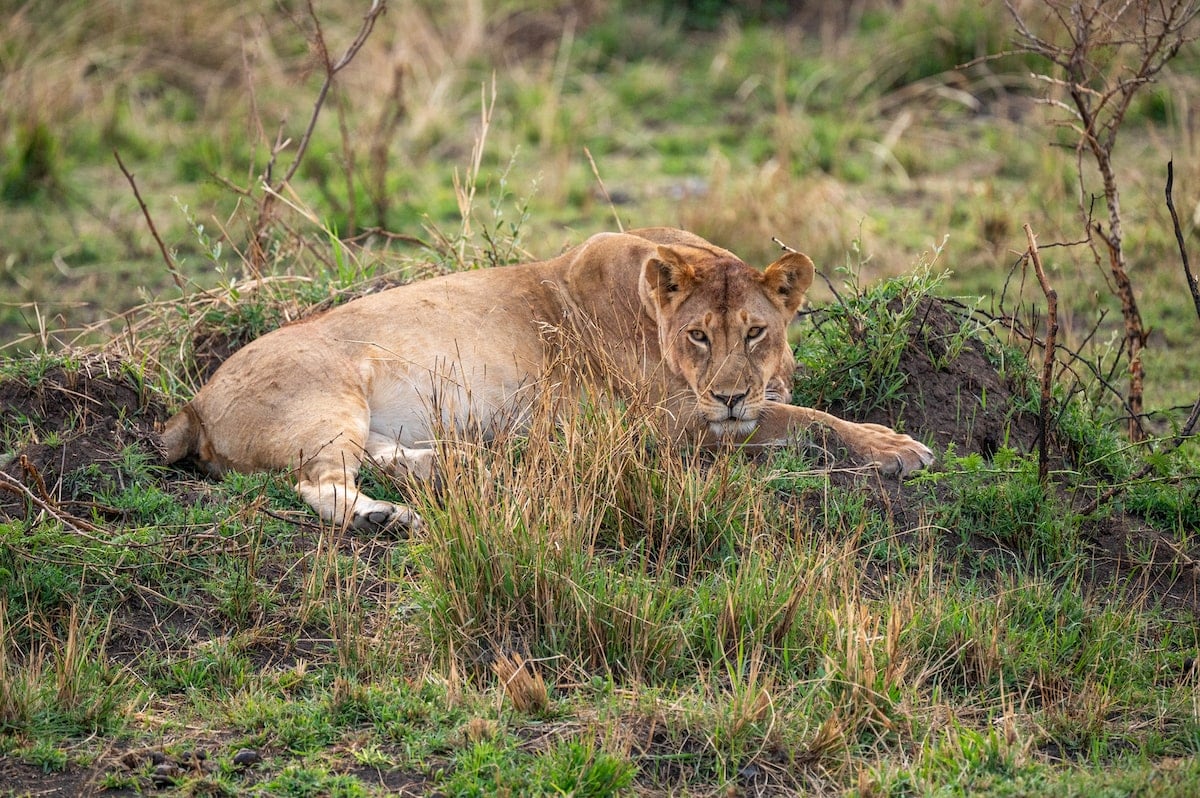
(658, 314)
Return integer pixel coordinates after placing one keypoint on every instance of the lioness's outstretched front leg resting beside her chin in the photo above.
(891, 452)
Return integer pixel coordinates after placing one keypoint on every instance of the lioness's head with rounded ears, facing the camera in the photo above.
(723, 328)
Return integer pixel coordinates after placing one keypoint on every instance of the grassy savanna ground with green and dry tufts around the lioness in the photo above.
(589, 614)
